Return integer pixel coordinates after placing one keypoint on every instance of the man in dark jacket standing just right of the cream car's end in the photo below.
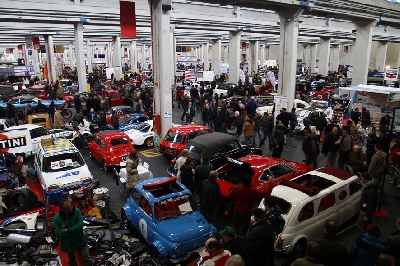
(369, 199)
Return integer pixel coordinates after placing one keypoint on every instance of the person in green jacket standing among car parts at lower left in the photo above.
(68, 225)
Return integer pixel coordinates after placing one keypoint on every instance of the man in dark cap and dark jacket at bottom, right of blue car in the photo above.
(238, 245)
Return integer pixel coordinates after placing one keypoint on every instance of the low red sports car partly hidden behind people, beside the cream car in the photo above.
(260, 168)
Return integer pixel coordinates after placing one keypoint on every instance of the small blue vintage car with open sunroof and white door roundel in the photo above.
(164, 213)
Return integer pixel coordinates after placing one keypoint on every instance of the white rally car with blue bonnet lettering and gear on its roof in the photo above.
(61, 169)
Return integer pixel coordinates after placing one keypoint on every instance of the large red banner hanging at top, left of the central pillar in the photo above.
(127, 19)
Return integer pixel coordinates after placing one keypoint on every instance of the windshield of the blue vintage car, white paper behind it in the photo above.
(174, 207)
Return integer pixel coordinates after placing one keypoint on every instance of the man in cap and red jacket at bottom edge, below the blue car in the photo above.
(217, 255)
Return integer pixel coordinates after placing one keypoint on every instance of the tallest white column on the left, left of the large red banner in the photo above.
(80, 57)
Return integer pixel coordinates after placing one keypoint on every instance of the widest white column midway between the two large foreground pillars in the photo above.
(234, 55)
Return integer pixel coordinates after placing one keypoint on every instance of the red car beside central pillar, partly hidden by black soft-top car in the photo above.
(177, 137)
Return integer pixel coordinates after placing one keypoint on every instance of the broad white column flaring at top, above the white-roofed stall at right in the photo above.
(362, 50)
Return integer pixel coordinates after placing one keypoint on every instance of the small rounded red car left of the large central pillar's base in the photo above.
(110, 148)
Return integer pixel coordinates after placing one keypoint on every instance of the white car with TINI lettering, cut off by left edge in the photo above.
(22, 140)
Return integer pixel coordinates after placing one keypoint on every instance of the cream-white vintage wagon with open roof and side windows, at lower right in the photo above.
(310, 199)
